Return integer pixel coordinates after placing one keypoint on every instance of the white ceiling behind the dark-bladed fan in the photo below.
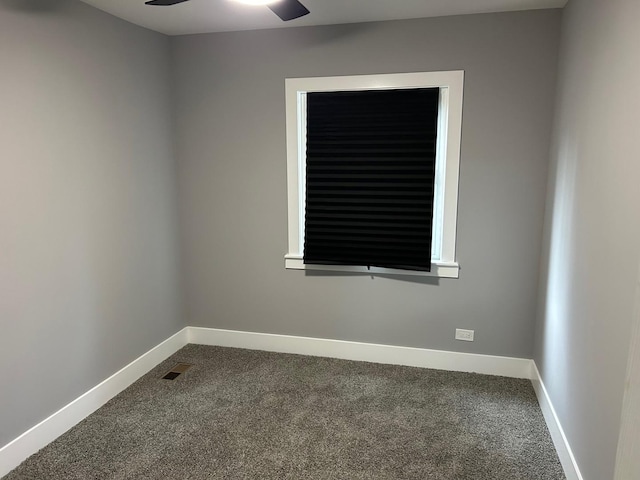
(200, 16)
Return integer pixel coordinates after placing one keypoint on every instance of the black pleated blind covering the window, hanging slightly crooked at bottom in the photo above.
(370, 177)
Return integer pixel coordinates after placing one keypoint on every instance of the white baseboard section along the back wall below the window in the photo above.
(367, 352)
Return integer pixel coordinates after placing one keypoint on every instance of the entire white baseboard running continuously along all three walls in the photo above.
(18, 450)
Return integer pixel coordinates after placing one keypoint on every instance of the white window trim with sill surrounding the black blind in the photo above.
(295, 89)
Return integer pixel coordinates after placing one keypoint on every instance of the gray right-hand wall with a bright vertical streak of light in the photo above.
(592, 232)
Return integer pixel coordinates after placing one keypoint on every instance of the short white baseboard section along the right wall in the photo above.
(568, 461)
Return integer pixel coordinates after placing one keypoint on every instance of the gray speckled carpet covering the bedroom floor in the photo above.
(240, 414)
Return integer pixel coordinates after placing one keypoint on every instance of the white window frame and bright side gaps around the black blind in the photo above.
(449, 87)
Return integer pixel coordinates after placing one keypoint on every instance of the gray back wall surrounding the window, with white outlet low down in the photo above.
(232, 180)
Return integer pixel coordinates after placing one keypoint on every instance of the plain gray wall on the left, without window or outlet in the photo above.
(87, 203)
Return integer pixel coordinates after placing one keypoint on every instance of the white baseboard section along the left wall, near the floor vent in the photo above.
(18, 450)
